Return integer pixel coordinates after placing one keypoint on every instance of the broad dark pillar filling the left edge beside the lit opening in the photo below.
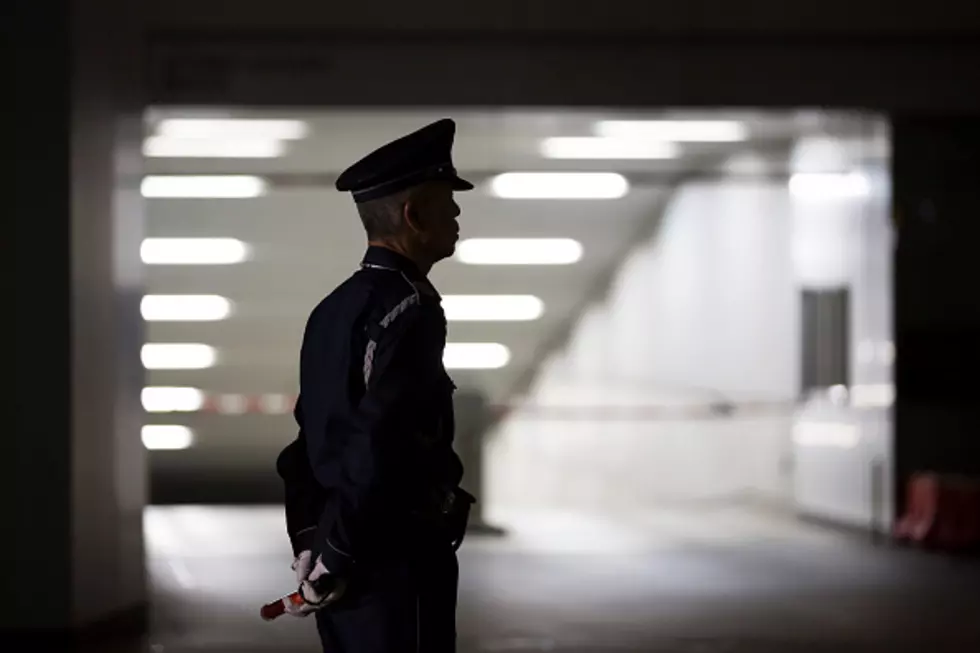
(74, 484)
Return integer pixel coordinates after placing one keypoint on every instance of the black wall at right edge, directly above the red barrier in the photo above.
(936, 165)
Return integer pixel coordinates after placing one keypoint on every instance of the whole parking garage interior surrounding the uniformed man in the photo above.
(693, 428)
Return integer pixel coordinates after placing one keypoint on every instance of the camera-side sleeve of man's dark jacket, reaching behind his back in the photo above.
(399, 368)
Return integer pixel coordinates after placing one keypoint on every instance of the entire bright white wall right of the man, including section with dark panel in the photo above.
(709, 311)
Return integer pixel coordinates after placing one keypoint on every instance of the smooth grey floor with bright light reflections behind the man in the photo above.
(707, 581)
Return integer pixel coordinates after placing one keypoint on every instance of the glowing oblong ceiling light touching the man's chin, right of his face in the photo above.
(519, 251)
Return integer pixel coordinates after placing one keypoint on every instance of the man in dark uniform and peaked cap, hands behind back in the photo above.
(374, 510)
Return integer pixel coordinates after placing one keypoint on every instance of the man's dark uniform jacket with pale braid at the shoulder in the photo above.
(373, 460)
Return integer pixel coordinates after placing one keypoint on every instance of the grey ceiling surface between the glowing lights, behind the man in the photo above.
(306, 238)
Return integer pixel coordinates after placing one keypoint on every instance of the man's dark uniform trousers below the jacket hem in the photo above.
(403, 604)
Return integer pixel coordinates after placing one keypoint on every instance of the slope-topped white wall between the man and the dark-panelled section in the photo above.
(707, 309)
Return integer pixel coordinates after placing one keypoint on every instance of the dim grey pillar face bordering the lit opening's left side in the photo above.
(108, 488)
